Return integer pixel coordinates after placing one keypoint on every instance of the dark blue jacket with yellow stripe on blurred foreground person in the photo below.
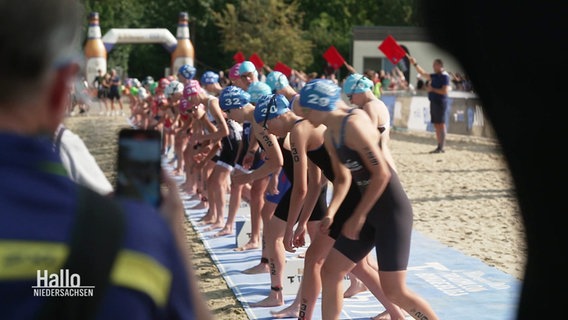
(37, 209)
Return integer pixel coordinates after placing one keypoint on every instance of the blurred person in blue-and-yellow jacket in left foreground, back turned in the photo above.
(151, 275)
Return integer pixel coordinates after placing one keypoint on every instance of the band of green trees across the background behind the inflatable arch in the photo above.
(295, 32)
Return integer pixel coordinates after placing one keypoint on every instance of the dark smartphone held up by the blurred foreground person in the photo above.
(139, 165)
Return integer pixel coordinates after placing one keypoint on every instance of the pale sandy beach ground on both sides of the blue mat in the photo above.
(463, 198)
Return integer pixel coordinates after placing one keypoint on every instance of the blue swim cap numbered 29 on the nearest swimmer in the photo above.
(320, 94)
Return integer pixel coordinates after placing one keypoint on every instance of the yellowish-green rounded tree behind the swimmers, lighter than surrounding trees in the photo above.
(270, 28)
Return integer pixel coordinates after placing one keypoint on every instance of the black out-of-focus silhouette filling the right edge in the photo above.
(520, 40)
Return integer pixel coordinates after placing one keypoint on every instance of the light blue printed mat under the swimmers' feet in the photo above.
(456, 285)
